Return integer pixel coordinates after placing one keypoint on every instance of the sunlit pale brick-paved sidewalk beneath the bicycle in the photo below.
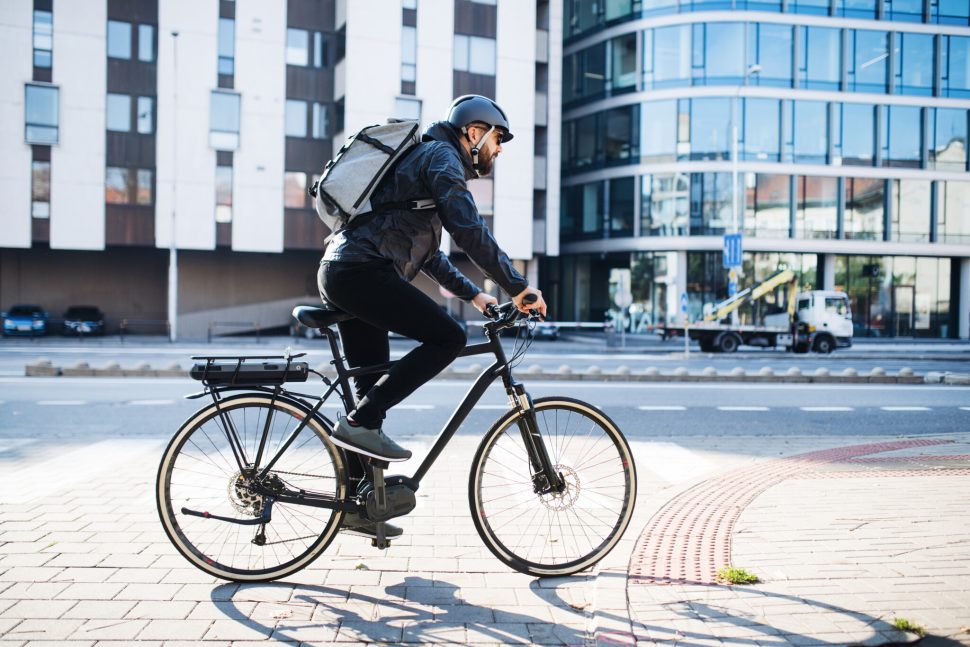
(843, 538)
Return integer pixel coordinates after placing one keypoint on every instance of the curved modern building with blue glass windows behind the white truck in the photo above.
(845, 123)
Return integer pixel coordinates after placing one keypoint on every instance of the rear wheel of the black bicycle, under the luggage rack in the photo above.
(186, 461)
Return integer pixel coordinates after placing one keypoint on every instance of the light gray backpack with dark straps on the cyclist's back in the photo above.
(348, 180)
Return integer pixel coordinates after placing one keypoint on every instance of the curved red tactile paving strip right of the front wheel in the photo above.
(689, 539)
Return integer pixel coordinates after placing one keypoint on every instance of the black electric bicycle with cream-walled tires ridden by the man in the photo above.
(251, 489)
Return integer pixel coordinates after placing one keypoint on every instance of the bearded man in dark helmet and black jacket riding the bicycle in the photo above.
(368, 266)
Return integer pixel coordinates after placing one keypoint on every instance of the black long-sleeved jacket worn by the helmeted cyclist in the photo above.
(437, 168)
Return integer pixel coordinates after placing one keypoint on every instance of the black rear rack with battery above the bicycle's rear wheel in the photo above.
(249, 370)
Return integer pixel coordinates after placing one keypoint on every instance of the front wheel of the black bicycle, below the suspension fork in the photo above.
(561, 533)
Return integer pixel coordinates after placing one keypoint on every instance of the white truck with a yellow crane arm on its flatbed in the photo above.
(818, 320)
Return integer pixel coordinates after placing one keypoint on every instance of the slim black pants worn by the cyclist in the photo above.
(382, 301)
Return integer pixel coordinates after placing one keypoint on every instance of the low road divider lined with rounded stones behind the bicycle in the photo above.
(44, 368)
